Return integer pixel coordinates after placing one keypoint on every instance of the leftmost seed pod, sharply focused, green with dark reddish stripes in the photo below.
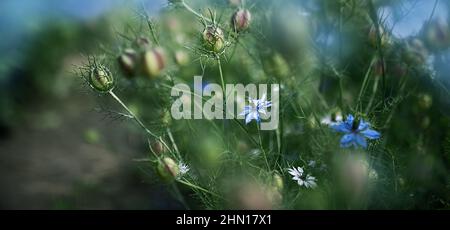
(101, 79)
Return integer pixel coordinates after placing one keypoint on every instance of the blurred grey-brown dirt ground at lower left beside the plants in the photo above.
(48, 164)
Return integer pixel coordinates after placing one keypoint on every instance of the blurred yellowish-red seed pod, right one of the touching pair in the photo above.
(153, 62)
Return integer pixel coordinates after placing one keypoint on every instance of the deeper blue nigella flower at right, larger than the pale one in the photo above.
(355, 133)
